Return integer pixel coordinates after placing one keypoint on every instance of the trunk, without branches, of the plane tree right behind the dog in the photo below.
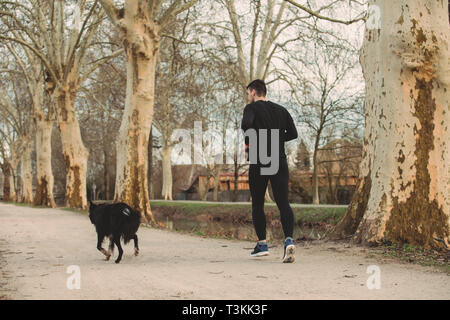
(141, 45)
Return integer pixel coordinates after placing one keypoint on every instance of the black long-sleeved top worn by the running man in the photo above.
(269, 115)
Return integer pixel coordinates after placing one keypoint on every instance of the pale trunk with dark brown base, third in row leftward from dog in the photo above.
(44, 174)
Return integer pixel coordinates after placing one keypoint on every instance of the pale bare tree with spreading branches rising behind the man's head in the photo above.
(247, 59)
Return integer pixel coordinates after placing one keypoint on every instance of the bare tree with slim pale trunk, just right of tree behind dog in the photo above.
(179, 85)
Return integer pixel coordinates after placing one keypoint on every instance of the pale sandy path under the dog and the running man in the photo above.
(38, 245)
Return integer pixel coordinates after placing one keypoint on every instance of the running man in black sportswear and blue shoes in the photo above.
(262, 114)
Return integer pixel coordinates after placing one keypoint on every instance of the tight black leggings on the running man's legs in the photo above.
(280, 188)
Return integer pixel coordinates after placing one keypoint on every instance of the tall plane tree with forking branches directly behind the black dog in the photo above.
(140, 24)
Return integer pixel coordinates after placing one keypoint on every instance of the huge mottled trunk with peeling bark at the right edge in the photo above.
(402, 196)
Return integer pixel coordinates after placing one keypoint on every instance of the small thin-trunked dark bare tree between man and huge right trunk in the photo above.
(327, 98)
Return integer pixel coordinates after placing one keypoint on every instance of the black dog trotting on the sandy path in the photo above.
(115, 221)
